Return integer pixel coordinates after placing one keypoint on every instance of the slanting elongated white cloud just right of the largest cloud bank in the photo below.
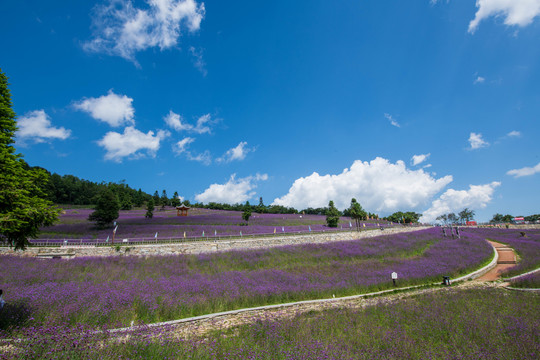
(478, 196)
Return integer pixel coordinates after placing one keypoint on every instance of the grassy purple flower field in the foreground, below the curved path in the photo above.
(452, 323)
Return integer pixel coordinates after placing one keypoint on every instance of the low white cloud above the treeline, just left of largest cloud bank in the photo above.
(233, 191)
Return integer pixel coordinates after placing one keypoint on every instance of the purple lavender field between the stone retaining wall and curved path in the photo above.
(116, 291)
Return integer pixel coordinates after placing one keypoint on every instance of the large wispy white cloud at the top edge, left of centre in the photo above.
(121, 29)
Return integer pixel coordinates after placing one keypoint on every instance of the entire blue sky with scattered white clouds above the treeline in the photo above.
(427, 106)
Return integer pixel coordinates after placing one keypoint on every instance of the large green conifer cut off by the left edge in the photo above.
(24, 207)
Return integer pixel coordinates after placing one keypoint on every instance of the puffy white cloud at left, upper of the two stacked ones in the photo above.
(115, 110)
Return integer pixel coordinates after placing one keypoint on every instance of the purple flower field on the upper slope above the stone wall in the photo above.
(132, 224)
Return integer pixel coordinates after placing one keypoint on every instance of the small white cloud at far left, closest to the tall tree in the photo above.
(36, 125)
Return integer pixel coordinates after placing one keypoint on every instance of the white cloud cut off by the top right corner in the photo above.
(515, 12)
